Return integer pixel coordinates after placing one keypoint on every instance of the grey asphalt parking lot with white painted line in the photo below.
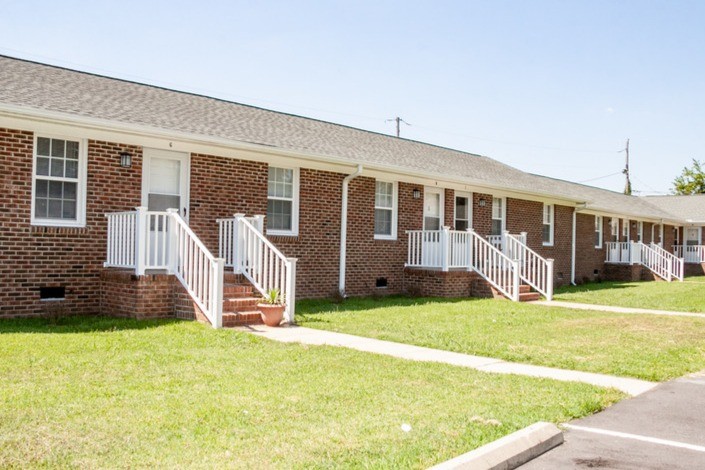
(661, 429)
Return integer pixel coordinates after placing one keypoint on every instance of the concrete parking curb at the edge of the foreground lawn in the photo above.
(509, 451)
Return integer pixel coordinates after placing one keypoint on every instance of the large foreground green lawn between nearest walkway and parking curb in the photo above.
(106, 393)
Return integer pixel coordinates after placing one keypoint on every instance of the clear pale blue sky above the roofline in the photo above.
(550, 87)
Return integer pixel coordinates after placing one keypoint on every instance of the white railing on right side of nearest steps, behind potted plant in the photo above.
(251, 254)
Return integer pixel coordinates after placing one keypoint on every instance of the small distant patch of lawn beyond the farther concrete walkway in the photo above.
(688, 296)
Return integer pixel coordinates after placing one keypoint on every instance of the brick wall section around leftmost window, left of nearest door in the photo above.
(34, 257)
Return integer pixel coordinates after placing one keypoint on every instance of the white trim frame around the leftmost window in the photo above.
(80, 187)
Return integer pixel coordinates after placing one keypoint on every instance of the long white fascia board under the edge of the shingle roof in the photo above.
(22, 117)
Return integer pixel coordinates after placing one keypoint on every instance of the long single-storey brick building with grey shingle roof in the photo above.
(75, 147)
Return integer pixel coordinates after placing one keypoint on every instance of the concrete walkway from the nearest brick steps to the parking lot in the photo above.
(298, 334)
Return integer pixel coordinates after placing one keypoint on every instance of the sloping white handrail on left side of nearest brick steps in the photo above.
(196, 268)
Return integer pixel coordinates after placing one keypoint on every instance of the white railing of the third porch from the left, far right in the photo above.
(652, 256)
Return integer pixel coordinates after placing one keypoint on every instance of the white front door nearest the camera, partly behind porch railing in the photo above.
(164, 186)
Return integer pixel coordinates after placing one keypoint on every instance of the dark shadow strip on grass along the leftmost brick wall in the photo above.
(78, 324)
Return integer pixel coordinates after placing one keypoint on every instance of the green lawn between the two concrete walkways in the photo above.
(644, 346)
